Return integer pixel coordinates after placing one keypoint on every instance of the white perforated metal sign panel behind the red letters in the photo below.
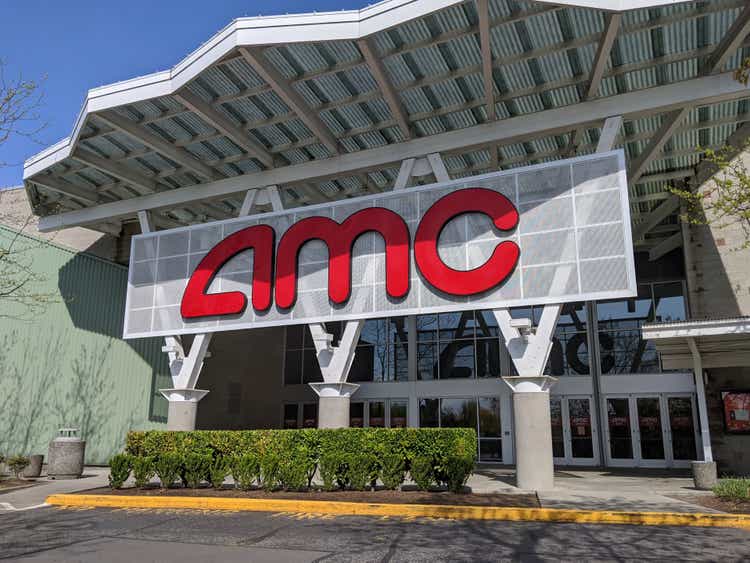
(573, 234)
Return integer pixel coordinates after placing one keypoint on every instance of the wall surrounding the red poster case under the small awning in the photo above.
(731, 451)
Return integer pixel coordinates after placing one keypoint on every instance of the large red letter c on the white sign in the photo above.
(466, 282)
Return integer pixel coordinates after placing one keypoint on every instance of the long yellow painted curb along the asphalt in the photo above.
(406, 510)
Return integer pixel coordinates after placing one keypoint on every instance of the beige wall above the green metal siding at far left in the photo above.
(15, 212)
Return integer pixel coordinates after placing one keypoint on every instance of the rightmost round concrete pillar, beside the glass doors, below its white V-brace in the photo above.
(533, 431)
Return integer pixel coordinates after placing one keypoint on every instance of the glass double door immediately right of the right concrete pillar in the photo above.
(573, 431)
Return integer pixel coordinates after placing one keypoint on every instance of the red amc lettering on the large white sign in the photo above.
(340, 238)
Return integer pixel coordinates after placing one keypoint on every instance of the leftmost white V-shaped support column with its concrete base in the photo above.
(183, 397)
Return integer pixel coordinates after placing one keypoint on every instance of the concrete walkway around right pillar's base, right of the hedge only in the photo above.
(597, 489)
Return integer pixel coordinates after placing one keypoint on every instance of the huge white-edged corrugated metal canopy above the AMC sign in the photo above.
(68, 185)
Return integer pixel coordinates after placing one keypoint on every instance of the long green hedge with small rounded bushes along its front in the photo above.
(353, 458)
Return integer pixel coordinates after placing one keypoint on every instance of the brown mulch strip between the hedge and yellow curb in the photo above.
(379, 496)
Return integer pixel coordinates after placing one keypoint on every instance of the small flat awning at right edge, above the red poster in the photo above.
(720, 342)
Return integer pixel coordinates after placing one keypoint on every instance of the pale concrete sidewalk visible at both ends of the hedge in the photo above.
(583, 489)
